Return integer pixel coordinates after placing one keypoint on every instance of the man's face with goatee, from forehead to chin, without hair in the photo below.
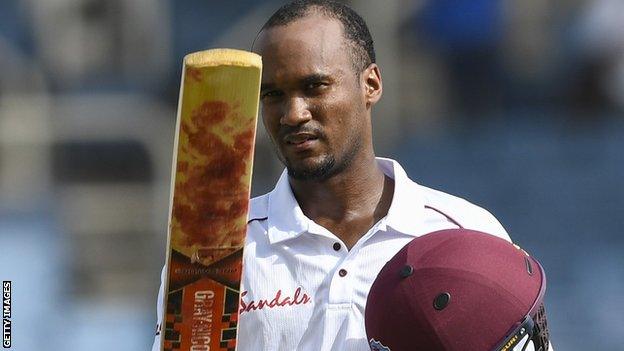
(313, 103)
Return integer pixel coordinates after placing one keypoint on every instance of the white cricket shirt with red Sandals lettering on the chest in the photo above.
(303, 290)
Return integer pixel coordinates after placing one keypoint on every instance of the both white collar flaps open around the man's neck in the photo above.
(286, 220)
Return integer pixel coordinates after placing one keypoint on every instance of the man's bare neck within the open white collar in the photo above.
(348, 203)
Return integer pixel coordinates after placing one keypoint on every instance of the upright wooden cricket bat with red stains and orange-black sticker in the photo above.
(211, 181)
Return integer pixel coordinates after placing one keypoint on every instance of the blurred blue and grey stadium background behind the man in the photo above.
(516, 105)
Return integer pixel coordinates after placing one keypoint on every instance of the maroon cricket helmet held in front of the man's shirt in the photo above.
(457, 290)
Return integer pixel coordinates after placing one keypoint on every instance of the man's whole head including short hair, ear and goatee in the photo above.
(319, 83)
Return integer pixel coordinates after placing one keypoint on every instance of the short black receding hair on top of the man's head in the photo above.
(355, 29)
